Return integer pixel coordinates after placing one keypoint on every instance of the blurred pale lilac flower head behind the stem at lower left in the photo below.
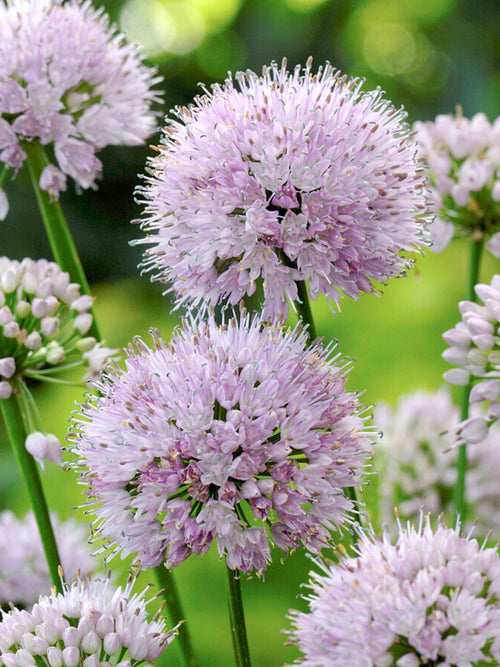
(24, 574)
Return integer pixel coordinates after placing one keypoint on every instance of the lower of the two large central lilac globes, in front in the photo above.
(228, 431)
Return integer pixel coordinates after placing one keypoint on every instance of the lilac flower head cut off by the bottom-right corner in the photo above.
(430, 598)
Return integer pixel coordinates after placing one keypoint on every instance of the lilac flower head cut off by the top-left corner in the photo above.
(69, 80)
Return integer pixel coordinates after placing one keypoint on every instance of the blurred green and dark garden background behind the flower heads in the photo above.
(429, 55)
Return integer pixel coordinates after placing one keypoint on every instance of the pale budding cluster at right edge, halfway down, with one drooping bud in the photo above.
(474, 347)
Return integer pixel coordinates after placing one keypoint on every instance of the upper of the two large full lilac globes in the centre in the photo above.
(283, 177)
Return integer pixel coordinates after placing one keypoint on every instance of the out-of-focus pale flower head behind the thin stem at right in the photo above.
(418, 462)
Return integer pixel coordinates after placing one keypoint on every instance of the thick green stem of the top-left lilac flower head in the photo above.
(58, 233)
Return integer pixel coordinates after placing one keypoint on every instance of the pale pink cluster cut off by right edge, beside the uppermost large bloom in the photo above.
(463, 158)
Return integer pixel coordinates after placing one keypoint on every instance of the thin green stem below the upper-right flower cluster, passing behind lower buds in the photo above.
(459, 501)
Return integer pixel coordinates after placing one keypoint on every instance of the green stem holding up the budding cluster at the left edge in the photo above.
(14, 425)
